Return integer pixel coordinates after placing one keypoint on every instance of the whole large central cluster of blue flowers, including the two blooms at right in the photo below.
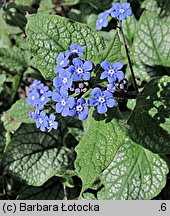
(70, 84)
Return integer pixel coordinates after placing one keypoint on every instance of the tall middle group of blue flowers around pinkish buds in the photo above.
(73, 74)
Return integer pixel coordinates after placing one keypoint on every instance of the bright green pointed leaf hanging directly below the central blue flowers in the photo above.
(98, 146)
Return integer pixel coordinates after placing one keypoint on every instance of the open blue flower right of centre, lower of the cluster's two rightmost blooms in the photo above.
(101, 99)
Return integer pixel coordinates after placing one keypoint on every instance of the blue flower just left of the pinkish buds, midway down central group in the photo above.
(64, 80)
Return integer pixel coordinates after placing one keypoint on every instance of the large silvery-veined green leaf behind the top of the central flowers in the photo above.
(48, 35)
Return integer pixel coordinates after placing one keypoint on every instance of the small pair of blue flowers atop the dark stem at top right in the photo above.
(120, 11)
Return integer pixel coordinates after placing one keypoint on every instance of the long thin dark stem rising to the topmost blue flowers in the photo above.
(128, 56)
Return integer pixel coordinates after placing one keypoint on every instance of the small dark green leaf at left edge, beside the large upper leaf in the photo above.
(12, 59)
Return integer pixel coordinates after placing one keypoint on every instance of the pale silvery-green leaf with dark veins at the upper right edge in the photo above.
(151, 46)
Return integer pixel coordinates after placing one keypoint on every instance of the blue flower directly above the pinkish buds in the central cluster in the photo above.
(81, 70)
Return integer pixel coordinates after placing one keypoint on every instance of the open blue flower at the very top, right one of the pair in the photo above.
(121, 10)
